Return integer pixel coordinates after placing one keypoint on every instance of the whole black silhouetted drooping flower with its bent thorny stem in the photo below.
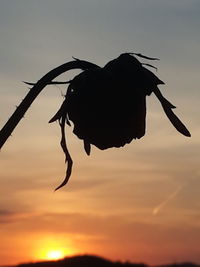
(106, 105)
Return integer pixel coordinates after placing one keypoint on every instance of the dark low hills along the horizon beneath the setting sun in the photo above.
(94, 261)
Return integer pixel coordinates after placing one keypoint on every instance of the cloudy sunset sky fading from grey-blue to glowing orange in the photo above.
(139, 203)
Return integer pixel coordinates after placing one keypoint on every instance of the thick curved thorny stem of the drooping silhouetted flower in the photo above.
(8, 128)
